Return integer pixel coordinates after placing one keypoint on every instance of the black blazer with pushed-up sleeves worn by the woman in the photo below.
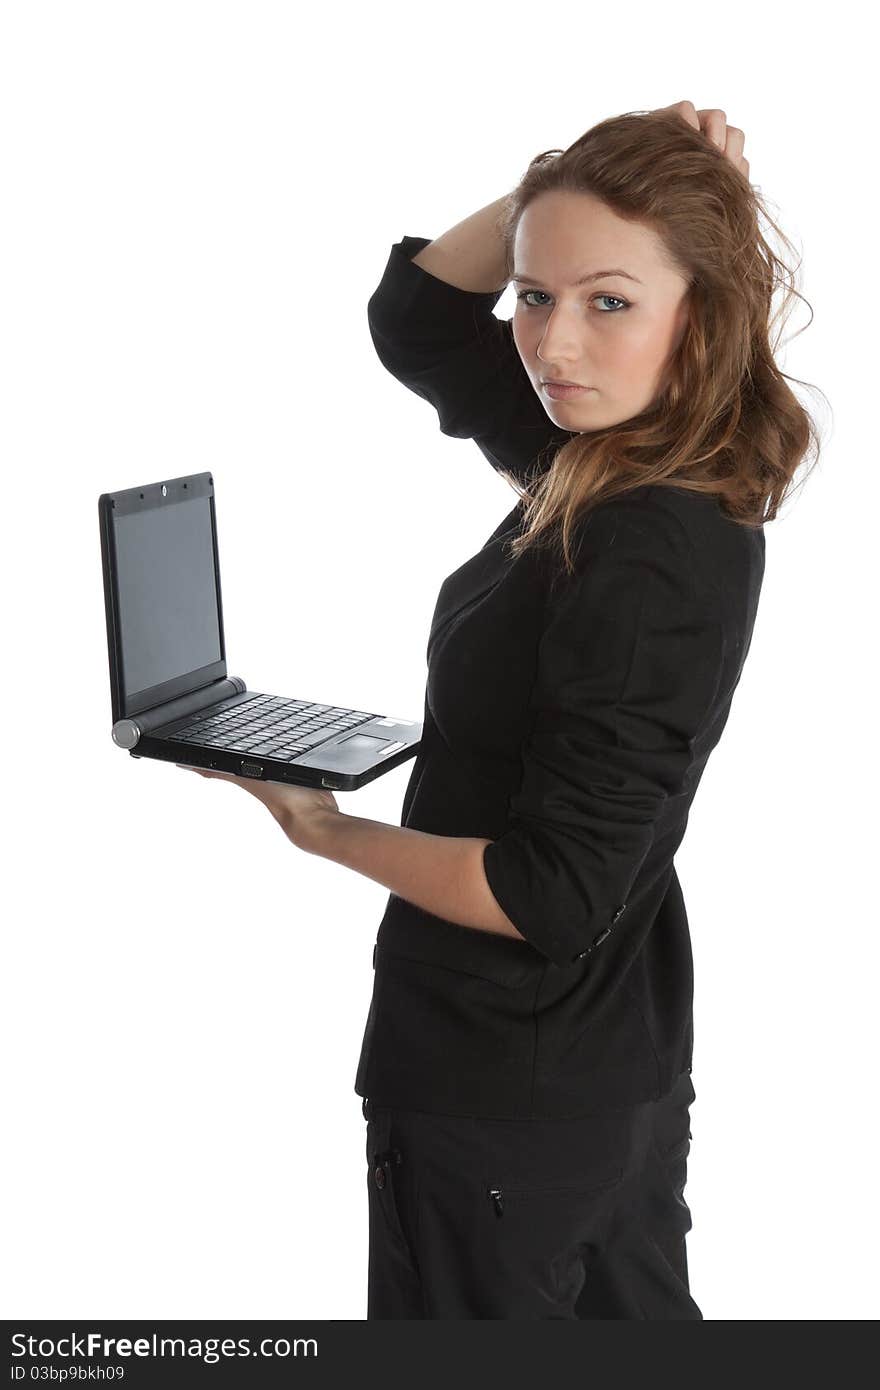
(569, 722)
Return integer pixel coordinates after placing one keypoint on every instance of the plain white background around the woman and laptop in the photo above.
(199, 201)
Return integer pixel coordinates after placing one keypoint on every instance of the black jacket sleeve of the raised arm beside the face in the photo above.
(447, 347)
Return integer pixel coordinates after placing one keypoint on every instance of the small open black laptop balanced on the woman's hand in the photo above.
(170, 692)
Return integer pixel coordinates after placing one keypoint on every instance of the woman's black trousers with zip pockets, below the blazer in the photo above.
(519, 1220)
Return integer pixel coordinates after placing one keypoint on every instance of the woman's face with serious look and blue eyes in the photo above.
(612, 334)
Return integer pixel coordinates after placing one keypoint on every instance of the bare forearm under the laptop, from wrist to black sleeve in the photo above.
(441, 875)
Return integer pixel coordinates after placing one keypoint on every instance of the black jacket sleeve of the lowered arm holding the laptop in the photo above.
(629, 669)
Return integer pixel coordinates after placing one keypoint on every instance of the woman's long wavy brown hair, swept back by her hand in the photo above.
(726, 422)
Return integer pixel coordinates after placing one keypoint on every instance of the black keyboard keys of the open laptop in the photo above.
(268, 725)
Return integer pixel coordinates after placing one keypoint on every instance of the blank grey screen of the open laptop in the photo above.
(168, 594)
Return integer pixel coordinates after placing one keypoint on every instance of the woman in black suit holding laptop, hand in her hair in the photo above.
(526, 1067)
